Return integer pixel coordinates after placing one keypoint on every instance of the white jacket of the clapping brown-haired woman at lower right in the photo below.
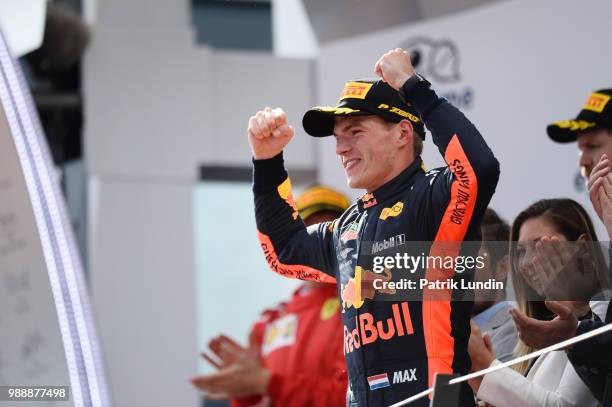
(551, 382)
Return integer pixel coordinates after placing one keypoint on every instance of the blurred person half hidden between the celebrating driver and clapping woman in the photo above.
(491, 308)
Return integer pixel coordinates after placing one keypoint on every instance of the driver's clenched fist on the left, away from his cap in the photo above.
(268, 133)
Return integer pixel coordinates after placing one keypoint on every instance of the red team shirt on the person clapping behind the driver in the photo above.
(300, 342)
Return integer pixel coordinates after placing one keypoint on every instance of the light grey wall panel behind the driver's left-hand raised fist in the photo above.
(245, 82)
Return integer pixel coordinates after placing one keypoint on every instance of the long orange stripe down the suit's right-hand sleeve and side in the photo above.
(437, 303)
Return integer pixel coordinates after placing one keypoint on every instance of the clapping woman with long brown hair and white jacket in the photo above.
(554, 257)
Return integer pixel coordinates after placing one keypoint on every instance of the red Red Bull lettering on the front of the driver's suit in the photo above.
(368, 330)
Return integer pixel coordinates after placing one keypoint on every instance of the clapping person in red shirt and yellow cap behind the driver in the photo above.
(295, 353)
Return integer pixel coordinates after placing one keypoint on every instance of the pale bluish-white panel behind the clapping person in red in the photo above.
(234, 282)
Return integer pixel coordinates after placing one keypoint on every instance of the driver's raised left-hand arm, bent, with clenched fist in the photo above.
(290, 248)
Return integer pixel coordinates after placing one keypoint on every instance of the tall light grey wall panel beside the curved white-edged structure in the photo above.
(142, 274)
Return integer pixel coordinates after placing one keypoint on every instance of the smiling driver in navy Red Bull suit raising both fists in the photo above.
(392, 348)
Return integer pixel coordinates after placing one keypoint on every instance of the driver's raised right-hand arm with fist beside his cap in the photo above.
(473, 170)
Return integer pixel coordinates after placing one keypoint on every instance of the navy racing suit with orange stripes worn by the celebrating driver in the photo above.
(392, 348)
